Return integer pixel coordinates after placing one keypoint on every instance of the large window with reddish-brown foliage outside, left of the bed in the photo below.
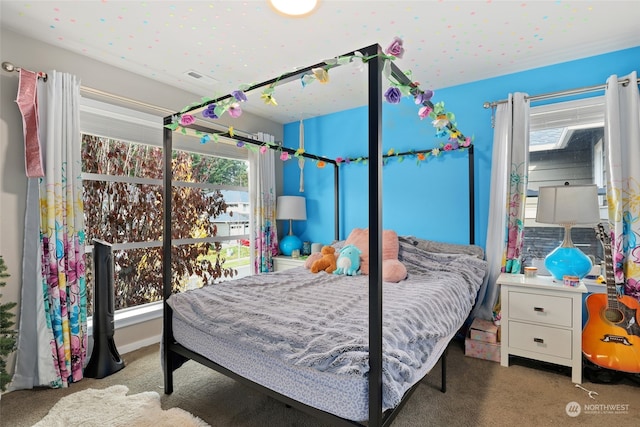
(123, 200)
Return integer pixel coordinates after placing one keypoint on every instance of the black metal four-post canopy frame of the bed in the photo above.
(173, 352)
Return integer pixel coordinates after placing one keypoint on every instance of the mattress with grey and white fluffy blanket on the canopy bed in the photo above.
(305, 335)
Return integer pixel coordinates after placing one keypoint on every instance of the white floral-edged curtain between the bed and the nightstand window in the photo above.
(505, 227)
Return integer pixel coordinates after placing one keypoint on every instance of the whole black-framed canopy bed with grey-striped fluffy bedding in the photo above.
(339, 359)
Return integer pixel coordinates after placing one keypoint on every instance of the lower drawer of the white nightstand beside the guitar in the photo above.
(540, 339)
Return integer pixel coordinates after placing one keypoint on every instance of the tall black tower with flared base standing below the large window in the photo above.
(105, 359)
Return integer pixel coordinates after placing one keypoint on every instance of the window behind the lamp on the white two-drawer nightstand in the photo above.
(566, 145)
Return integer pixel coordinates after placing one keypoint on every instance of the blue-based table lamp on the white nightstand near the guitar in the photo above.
(568, 205)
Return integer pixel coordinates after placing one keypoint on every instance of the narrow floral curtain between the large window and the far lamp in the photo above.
(262, 194)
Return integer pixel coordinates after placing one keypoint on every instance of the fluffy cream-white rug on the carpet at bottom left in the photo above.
(112, 407)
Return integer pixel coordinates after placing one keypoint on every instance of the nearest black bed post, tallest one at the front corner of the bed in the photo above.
(375, 235)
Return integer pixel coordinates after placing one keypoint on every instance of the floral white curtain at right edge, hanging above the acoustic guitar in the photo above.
(622, 140)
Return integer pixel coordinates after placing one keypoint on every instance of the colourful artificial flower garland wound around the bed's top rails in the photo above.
(442, 121)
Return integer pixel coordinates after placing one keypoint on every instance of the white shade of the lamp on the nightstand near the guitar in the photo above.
(568, 205)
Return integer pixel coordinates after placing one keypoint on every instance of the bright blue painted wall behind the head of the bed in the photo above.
(428, 200)
